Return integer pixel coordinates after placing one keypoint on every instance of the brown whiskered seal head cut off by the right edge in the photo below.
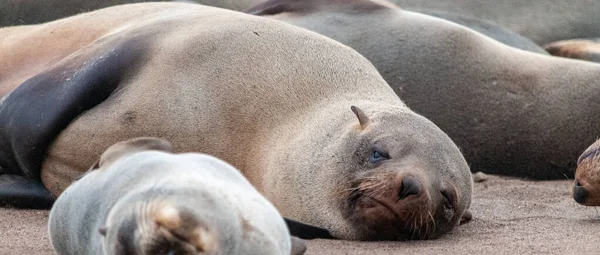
(586, 187)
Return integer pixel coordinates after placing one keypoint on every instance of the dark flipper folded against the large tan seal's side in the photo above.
(35, 113)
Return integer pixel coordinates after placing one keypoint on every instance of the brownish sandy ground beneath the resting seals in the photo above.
(510, 217)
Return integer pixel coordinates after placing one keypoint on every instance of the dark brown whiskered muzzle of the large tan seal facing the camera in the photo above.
(400, 211)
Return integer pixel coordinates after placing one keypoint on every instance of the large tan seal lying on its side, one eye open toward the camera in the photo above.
(319, 133)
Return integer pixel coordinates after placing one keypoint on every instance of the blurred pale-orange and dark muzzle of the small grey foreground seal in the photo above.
(180, 229)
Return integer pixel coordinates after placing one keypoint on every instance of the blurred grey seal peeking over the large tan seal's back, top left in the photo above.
(27, 12)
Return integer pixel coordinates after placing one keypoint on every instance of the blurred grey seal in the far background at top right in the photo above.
(550, 21)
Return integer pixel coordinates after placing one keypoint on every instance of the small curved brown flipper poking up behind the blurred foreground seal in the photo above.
(120, 149)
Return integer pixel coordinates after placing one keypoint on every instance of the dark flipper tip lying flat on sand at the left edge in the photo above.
(18, 191)
